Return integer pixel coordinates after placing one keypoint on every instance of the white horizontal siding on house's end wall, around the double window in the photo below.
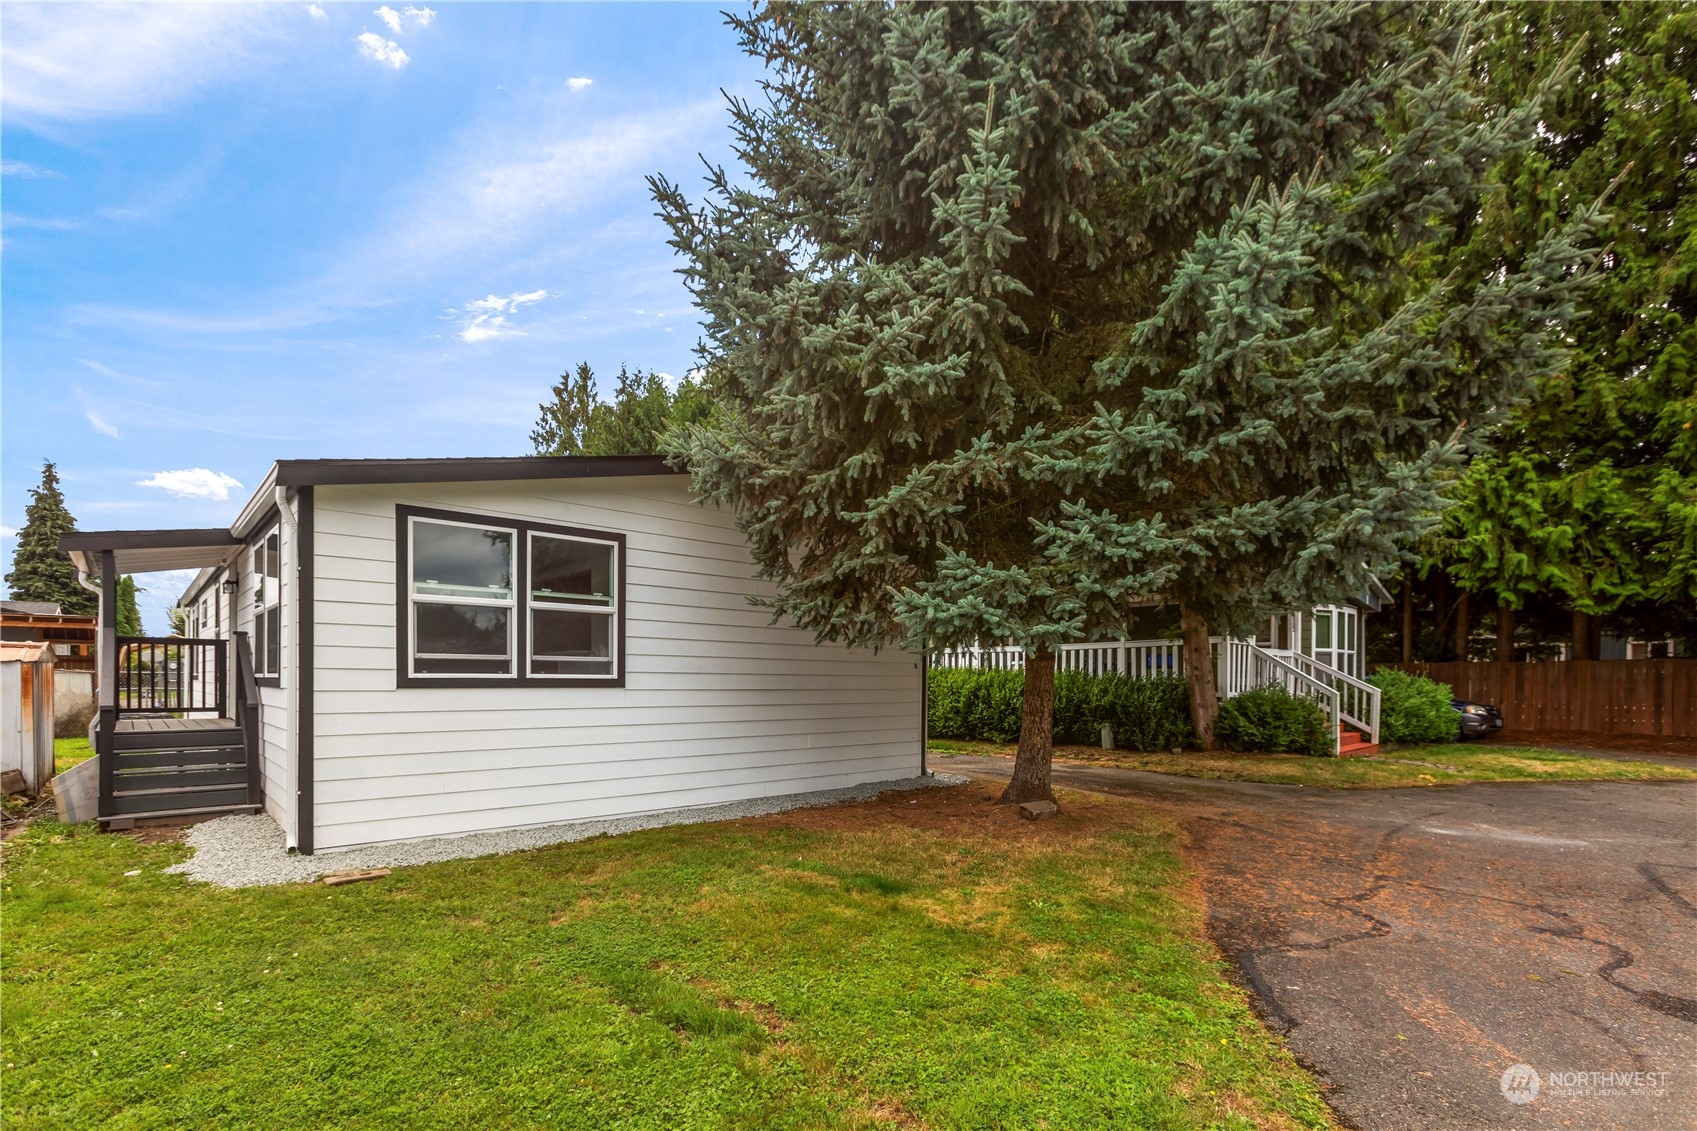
(719, 704)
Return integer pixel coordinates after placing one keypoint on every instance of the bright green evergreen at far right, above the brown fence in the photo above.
(1589, 492)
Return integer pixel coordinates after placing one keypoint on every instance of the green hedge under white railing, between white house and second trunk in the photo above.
(985, 706)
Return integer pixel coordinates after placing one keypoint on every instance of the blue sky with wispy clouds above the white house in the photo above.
(238, 234)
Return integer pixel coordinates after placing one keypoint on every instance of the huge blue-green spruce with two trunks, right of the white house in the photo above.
(1024, 313)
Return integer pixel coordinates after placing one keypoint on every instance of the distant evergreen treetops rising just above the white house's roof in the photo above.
(578, 422)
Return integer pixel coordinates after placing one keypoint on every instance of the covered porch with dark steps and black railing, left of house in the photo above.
(177, 729)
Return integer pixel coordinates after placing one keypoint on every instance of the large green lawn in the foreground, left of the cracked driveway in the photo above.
(924, 960)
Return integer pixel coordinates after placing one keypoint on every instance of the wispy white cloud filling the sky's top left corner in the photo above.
(76, 62)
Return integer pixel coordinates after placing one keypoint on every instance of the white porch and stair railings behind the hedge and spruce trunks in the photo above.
(1240, 667)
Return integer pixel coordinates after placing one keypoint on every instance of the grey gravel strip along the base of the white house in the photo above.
(247, 852)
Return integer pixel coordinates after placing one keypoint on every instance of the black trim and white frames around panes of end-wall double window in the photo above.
(522, 607)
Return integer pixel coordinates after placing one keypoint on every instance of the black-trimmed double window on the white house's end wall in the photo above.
(486, 600)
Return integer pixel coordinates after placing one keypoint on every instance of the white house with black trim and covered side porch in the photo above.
(393, 650)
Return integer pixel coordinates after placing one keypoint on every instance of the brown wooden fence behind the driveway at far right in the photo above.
(1603, 697)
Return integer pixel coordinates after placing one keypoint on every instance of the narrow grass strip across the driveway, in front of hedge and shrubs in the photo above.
(1411, 767)
